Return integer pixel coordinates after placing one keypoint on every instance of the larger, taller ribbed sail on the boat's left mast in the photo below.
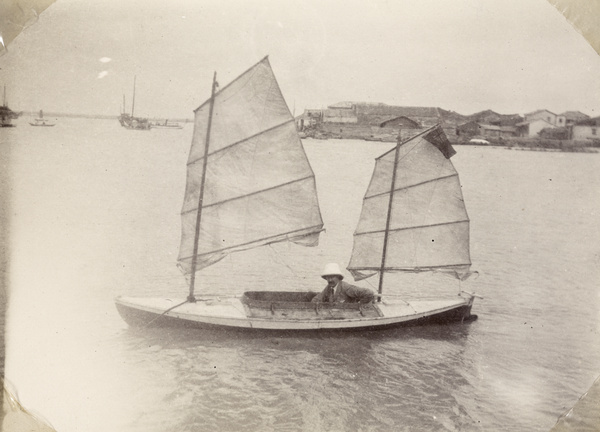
(259, 186)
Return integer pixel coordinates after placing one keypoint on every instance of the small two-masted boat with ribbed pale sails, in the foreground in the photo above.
(249, 184)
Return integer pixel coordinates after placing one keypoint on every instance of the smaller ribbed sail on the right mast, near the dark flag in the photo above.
(428, 225)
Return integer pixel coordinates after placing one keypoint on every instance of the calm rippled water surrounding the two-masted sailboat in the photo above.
(95, 214)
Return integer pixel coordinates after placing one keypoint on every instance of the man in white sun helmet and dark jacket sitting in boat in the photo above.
(338, 291)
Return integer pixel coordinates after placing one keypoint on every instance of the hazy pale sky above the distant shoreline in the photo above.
(512, 56)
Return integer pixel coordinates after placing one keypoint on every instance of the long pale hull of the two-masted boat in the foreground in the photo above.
(233, 313)
